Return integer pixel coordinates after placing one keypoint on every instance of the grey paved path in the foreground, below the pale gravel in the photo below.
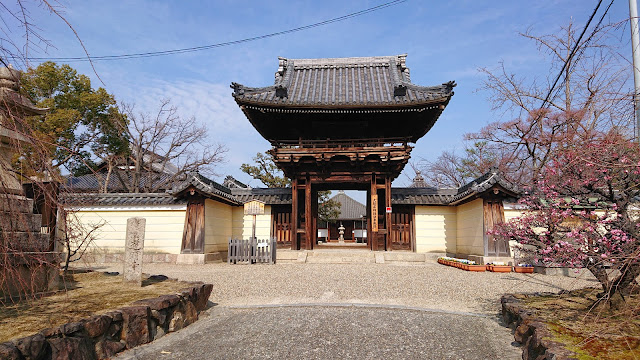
(333, 332)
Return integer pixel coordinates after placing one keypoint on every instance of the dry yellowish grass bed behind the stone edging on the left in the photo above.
(82, 294)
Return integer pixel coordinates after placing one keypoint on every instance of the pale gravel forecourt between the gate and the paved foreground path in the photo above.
(429, 285)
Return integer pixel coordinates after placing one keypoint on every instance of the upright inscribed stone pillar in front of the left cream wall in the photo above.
(133, 251)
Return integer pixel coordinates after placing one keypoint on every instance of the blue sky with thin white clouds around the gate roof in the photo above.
(445, 40)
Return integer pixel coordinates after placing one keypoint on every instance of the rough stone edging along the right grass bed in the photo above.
(532, 333)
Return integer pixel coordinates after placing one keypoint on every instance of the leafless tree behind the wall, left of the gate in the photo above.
(164, 148)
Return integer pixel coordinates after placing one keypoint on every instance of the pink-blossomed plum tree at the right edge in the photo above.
(582, 212)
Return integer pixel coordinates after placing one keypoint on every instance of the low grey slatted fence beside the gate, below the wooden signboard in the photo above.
(252, 251)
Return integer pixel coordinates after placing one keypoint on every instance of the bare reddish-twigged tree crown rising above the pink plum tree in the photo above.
(594, 96)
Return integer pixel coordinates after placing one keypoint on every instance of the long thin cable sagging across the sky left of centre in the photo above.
(222, 44)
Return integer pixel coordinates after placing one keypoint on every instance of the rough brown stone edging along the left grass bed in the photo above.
(102, 336)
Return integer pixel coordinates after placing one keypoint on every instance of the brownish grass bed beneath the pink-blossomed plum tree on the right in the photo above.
(593, 333)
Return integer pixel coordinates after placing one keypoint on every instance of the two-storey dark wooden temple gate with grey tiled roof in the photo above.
(343, 123)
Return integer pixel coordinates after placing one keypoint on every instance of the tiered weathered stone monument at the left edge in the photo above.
(26, 265)
